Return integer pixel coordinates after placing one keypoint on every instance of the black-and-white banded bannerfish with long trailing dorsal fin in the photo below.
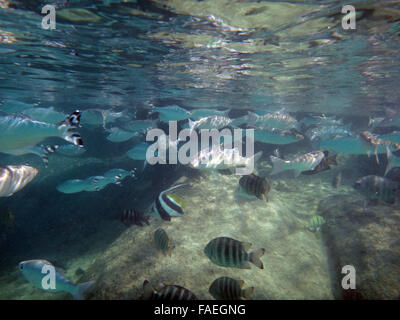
(165, 206)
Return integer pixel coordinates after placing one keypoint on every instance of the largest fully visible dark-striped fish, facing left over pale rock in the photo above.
(228, 252)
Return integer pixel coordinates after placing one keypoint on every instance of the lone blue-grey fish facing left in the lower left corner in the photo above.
(32, 271)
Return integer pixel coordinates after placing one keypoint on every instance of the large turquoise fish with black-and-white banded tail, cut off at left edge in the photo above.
(19, 132)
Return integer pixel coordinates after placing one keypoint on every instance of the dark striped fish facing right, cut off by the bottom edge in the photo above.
(168, 292)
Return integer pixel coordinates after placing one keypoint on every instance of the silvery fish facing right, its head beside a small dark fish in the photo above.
(299, 164)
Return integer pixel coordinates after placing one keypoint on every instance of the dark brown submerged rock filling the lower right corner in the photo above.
(366, 238)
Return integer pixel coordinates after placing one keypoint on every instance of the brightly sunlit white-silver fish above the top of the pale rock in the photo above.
(214, 158)
